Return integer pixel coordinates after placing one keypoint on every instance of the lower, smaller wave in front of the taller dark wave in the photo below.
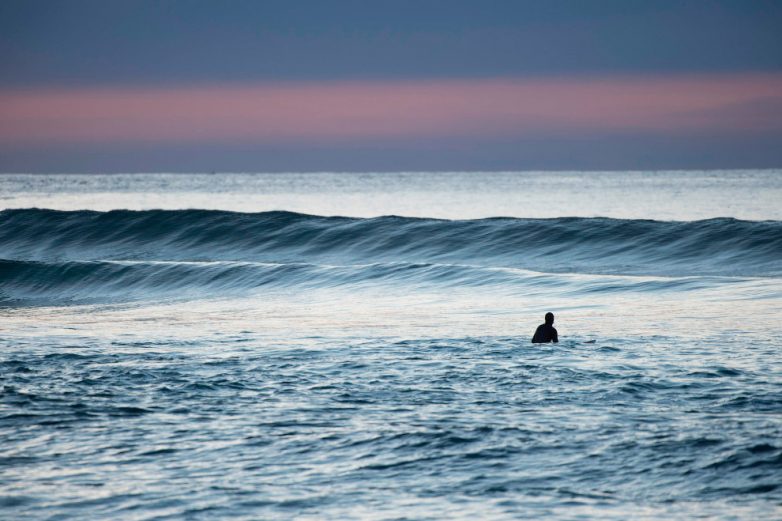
(83, 282)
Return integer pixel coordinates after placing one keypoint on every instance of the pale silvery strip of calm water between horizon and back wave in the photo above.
(675, 195)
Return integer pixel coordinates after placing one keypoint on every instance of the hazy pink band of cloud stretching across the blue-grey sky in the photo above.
(338, 111)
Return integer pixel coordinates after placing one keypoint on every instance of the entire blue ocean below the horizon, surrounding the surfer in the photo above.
(357, 345)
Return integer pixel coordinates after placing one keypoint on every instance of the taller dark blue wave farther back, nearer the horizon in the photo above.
(567, 245)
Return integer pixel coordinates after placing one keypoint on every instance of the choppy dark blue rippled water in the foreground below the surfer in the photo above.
(266, 432)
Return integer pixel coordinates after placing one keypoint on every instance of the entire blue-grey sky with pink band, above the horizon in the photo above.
(198, 86)
